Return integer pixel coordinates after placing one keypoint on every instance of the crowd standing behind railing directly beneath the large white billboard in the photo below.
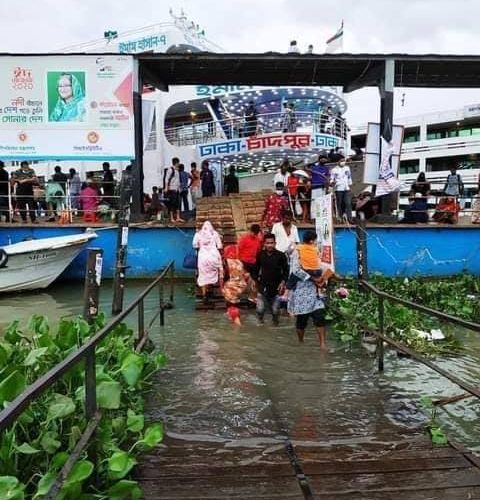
(25, 196)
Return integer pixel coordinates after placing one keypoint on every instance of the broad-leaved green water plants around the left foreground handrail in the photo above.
(35, 448)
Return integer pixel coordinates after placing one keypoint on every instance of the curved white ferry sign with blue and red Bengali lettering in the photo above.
(294, 141)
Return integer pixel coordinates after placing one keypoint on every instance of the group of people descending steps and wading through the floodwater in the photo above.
(271, 268)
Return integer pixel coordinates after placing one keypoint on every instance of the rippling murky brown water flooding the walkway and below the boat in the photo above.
(258, 383)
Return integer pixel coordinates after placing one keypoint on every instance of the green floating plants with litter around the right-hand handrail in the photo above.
(459, 296)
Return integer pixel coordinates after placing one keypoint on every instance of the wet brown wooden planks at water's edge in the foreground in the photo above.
(409, 469)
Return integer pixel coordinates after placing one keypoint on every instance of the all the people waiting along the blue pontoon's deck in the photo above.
(24, 195)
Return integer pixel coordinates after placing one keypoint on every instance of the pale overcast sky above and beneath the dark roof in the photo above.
(375, 26)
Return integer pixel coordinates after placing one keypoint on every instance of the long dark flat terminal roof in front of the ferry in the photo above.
(350, 71)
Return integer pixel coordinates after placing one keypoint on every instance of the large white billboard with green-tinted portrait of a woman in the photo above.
(66, 107)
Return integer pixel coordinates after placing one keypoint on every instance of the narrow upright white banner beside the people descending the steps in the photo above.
(323, 214)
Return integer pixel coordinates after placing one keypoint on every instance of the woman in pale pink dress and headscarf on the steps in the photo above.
(210, 269)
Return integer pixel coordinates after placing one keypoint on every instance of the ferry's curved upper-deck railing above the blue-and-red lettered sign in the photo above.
(201, 132)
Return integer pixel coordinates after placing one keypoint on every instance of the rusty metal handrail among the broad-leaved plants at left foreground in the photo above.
(87, 353)
